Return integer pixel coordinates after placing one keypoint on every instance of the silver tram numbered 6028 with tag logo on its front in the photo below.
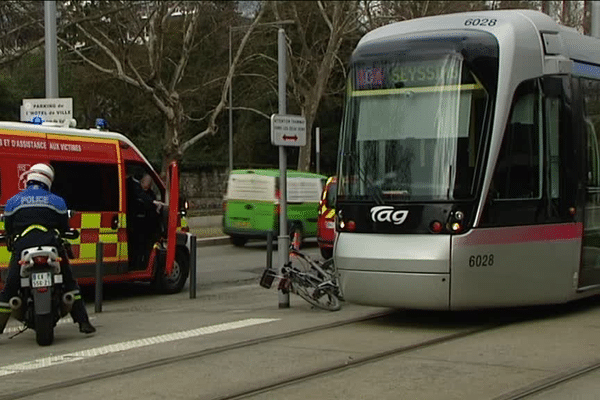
(469, 164)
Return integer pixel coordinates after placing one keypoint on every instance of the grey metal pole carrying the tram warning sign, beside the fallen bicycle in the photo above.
(283, 239)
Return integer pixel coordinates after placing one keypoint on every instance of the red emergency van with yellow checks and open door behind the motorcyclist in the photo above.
(91, 171)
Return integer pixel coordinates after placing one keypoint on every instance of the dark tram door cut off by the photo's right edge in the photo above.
(590, 269)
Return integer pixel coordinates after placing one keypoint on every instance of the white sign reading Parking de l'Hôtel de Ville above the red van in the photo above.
(47, 110)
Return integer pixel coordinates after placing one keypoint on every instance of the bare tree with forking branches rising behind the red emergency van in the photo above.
(136, 47)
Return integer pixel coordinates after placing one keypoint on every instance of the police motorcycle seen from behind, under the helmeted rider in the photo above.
(42, 300)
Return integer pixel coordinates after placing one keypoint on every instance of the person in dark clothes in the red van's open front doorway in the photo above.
(143, 220)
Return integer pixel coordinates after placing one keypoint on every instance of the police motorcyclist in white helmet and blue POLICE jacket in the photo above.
(37, 217)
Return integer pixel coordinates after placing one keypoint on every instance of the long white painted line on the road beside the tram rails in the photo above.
(129, 345)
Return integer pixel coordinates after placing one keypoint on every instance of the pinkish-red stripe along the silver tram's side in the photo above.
(521, 234)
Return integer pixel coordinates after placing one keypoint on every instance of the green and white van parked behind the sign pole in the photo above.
(251, 206)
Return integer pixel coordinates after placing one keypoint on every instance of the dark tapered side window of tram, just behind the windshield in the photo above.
(518, 172)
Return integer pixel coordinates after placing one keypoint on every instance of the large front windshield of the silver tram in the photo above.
(413, 129)
